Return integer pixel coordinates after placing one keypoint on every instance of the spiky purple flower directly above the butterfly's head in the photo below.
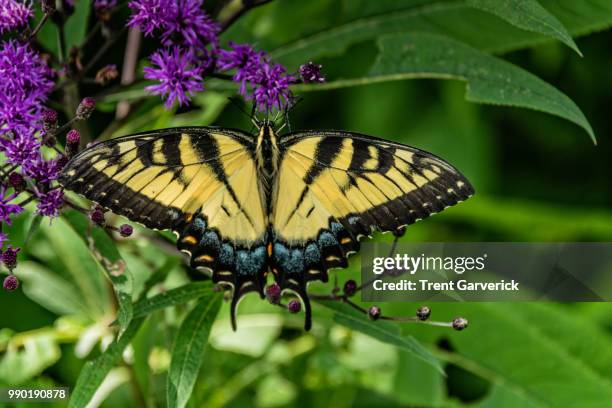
(272, 87)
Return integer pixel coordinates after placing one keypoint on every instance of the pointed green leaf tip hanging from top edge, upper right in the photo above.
(528, 15)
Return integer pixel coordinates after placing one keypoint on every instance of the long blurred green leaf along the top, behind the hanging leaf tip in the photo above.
(453, 19)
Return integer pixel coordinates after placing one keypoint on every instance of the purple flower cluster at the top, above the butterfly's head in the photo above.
(193, 51)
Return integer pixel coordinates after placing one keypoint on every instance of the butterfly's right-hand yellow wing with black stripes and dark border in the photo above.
(335, 187)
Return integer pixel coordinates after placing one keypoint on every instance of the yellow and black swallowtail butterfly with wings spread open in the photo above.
(246, 205)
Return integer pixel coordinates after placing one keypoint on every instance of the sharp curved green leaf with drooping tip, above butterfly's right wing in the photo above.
(490, 80)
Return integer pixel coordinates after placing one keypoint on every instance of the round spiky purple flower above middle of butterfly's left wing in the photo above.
(178, 77)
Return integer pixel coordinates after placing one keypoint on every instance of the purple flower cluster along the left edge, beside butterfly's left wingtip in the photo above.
(25, 84)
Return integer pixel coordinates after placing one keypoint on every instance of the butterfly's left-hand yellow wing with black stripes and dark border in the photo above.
(200, 182)
